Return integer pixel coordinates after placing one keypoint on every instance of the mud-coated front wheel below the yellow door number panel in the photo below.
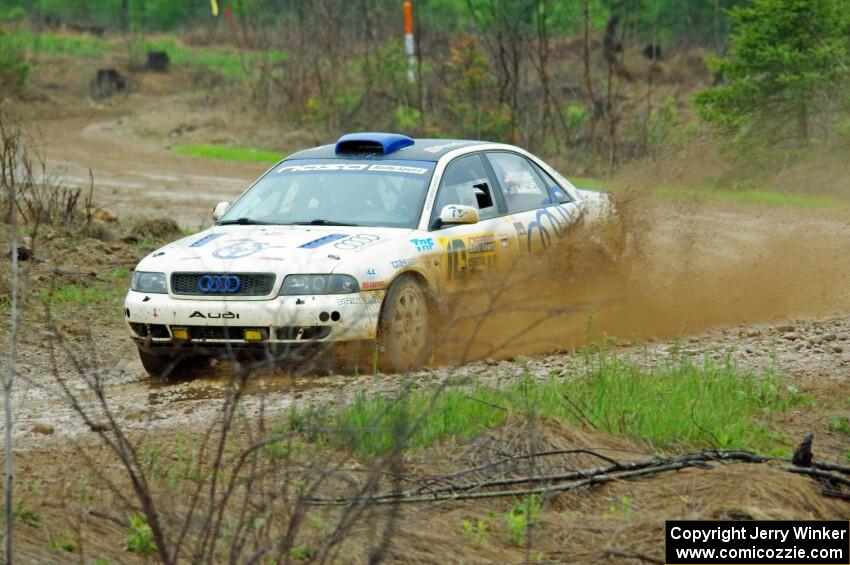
(404, 329)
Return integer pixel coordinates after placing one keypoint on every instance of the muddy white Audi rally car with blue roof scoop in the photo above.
(350, 242)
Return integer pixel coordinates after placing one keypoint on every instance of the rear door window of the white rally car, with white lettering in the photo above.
(522, 185)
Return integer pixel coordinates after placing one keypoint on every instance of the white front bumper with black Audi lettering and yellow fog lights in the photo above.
(162, 322)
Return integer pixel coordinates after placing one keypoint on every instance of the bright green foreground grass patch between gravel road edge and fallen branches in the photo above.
(678, 404)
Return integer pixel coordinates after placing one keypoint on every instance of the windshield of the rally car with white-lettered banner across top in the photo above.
(385, 193)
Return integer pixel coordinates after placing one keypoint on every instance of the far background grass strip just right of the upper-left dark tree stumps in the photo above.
(228, 61)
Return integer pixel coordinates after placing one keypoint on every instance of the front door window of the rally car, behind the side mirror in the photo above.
(465, 181)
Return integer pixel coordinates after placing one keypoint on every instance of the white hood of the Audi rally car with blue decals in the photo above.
(279, 249)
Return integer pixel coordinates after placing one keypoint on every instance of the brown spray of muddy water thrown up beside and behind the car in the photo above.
(687, 267)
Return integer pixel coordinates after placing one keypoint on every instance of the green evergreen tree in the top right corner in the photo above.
(787, 59)
